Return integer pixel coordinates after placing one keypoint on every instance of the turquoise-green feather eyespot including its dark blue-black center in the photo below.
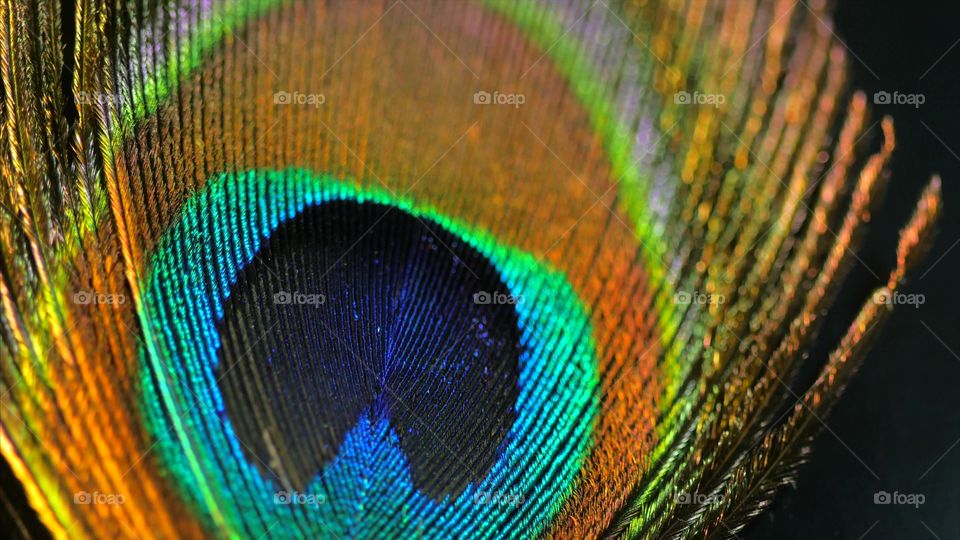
(359, 351)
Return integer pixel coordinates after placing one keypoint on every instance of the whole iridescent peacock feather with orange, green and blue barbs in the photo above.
(423, 268)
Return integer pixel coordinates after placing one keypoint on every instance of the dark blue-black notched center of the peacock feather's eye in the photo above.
(357, 308)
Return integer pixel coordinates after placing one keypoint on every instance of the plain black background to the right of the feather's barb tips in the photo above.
(899, 415)
